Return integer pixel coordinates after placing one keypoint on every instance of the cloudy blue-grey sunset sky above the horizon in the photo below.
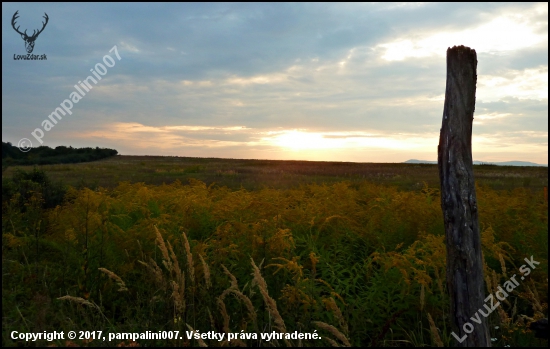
(361, 82)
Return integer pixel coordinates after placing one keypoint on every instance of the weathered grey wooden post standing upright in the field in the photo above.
(459, 203)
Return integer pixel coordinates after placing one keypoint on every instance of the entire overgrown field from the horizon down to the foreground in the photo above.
(351, 252)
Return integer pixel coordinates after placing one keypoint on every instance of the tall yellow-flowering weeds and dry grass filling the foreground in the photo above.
(227, 227)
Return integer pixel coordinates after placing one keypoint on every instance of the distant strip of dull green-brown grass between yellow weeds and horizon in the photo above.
(257, 174)
